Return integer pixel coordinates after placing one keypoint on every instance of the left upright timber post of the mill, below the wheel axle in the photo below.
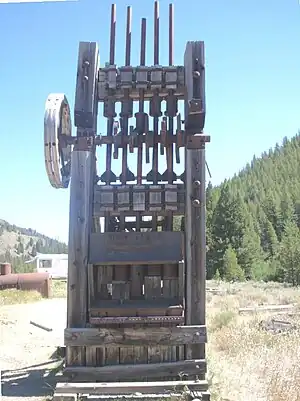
(82, 169)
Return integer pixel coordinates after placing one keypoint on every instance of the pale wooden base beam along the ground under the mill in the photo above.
(183, 389)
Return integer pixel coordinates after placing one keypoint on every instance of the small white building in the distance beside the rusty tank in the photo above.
(54, 264)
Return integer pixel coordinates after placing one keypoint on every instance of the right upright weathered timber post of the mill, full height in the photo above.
(195, 230)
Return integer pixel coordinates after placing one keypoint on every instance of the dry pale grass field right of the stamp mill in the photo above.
(245, 362)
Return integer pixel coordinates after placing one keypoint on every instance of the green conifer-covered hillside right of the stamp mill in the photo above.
(253, 219)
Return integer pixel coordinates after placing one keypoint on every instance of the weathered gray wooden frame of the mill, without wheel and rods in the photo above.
(183, 346)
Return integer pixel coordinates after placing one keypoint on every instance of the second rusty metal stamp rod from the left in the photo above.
(127, 103)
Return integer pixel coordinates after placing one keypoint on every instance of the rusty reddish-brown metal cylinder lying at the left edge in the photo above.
(27, 281)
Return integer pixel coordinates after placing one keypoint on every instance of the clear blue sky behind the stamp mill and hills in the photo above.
(252, 84)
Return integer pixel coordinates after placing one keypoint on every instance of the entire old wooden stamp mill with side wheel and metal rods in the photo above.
(136, 288)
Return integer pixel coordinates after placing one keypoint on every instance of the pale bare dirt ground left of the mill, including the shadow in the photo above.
(27, 362)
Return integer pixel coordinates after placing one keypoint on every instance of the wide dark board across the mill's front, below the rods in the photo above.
(125, 248)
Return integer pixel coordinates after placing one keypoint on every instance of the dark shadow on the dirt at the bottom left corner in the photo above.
(31, 381)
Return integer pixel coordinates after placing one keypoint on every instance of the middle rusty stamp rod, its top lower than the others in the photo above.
(141, 104)
